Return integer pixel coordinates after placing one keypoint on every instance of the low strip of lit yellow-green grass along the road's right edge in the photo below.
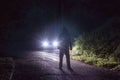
(95, 60)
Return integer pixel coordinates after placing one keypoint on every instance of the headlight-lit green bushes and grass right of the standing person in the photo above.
(99, 47)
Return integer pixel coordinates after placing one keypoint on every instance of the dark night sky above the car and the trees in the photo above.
(20, 19)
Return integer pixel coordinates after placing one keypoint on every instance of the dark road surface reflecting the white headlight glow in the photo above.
(43, 65)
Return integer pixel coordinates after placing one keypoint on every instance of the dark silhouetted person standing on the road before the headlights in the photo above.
(65, 45)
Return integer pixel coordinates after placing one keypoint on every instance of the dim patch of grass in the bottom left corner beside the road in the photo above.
(6, 66)
